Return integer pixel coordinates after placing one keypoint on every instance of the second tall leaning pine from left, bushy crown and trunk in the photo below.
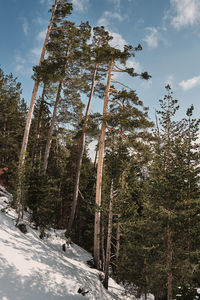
(64, 63)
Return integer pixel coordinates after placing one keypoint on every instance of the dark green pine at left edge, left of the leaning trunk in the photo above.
(12, 120)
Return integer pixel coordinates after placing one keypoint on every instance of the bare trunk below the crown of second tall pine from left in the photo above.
(51, 130)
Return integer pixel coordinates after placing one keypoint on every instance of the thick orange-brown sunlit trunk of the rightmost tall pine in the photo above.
(99, 175)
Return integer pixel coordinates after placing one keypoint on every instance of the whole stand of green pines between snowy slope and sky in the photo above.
(135, 206)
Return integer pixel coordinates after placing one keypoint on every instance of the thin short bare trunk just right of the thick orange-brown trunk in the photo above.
(109, 236)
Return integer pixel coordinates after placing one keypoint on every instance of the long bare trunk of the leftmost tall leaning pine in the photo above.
(28, 121)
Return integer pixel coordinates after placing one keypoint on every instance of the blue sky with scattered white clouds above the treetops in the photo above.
(168, 30)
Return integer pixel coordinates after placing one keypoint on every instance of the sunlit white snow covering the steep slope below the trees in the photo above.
(35, 269)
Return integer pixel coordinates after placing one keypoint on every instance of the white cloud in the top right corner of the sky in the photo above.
(187, 12)
